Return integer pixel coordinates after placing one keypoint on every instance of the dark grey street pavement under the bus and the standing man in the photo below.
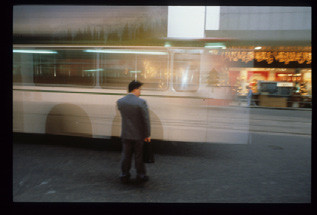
(270, 168)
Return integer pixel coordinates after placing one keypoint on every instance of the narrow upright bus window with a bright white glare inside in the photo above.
(186, 72)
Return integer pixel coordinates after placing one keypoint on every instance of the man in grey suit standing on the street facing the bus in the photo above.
(135, 130)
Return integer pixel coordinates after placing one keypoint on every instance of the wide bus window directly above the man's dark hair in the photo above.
(118, 70)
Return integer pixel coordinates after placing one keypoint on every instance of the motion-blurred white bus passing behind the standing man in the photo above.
(183, 105)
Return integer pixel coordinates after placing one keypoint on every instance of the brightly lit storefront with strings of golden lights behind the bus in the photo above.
(251, 66)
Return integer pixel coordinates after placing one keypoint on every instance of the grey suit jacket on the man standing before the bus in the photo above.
(135, 118)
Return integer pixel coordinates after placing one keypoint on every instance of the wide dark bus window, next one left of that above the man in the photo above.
(68, 67)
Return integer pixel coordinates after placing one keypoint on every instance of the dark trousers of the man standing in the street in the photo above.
(128, 147)
